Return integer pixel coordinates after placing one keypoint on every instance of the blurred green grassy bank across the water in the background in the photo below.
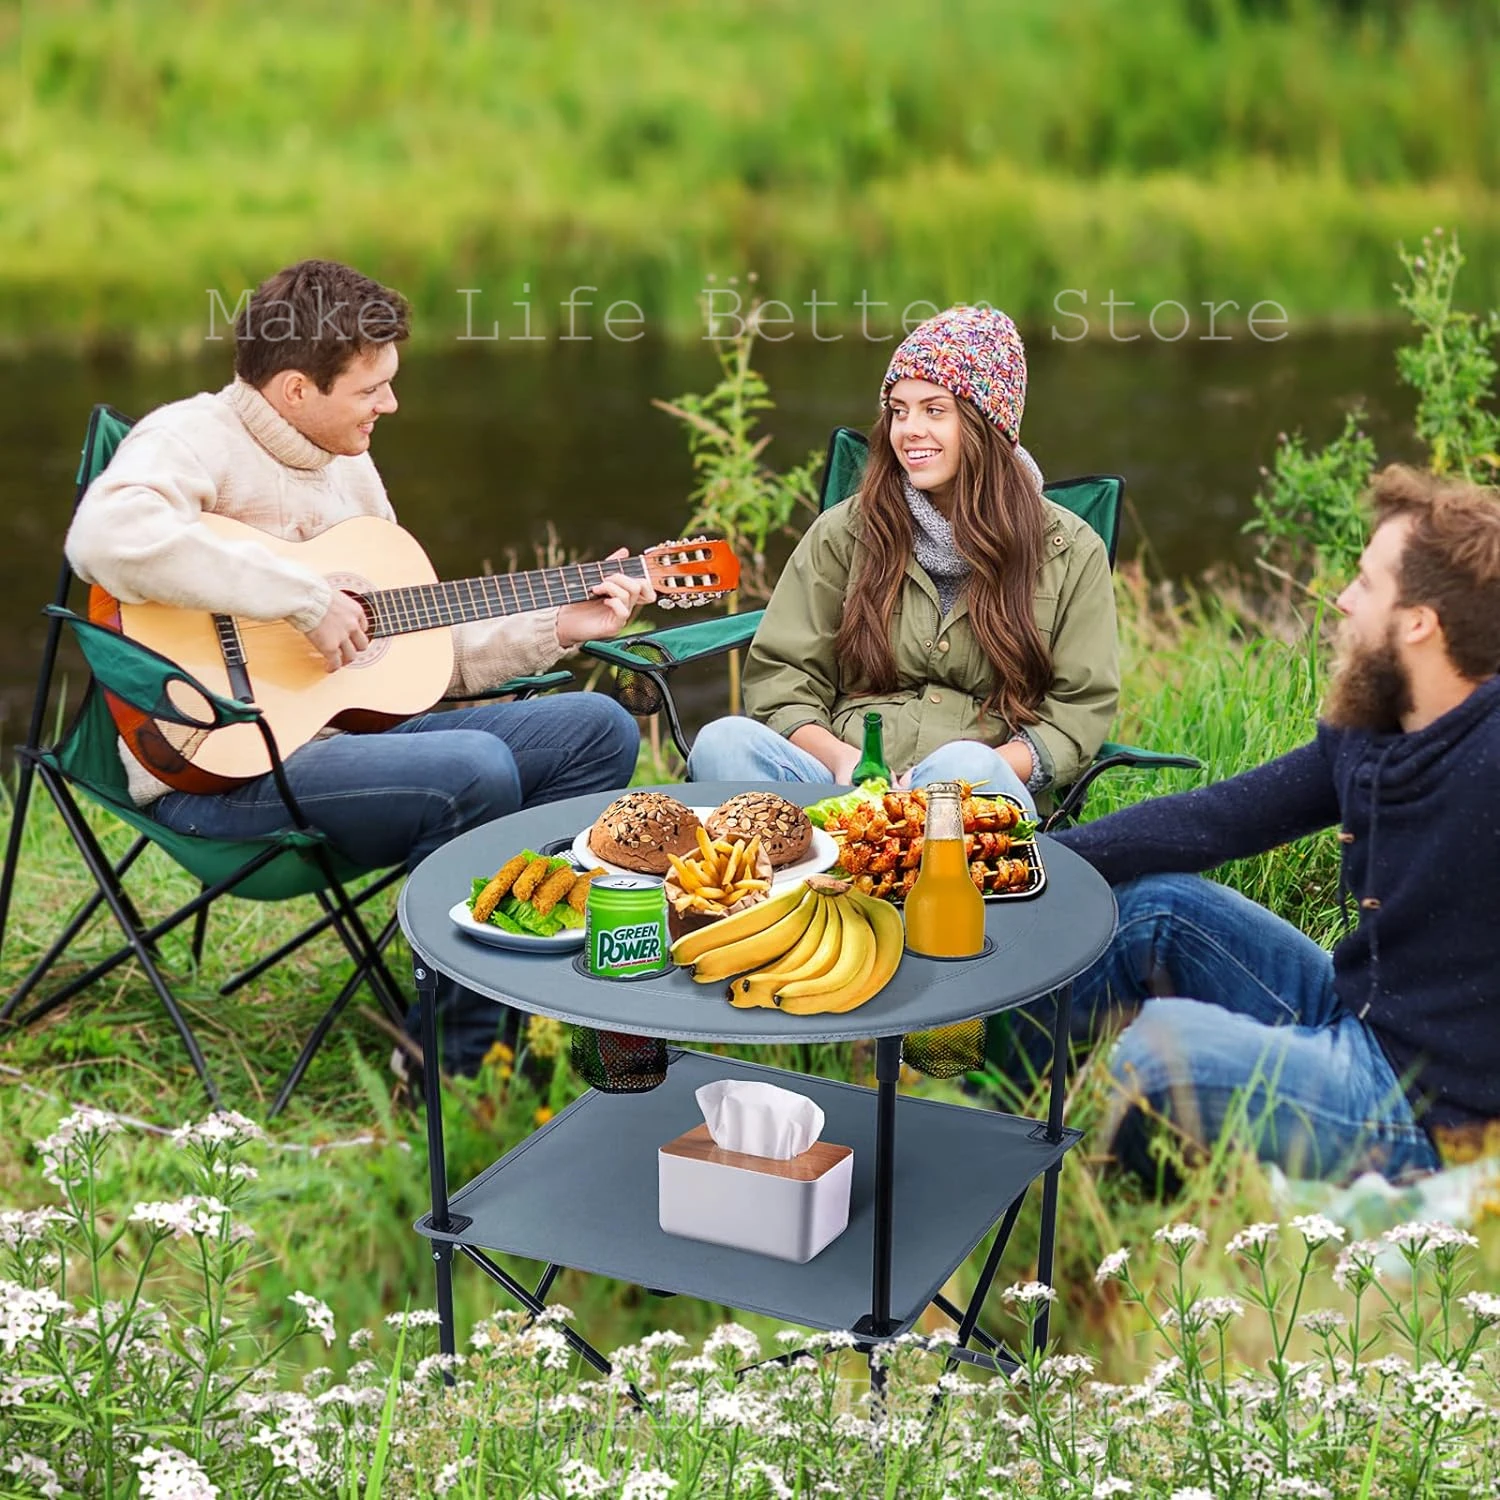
(1186, 149)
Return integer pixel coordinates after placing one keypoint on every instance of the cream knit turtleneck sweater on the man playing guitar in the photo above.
(236, 455)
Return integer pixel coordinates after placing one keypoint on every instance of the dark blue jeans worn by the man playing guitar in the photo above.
(394, 797)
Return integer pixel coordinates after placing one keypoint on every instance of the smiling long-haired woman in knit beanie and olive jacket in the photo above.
(949, 596)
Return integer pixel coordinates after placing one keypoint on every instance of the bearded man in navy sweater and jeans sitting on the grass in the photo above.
(1331, 1064)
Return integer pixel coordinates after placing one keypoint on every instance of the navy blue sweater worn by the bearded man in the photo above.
(1420, 821)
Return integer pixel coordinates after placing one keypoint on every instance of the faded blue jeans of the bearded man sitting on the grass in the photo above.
(1262, 1046)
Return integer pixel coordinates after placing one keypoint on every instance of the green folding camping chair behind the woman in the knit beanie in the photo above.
(644, 664)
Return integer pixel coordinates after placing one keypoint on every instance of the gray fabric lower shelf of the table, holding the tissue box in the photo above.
(583, 1193)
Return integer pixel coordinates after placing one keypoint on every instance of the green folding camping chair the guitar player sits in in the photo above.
(86, 761)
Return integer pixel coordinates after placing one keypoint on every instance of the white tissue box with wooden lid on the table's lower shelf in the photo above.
(790, 1210)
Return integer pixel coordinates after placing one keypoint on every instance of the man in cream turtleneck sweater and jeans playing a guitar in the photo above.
(286, 449)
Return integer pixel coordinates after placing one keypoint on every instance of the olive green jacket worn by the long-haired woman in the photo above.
(793, 677)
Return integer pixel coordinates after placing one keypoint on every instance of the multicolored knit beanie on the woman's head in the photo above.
(973, 352)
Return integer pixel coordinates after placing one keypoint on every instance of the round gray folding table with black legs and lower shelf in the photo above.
(583, 1192)
